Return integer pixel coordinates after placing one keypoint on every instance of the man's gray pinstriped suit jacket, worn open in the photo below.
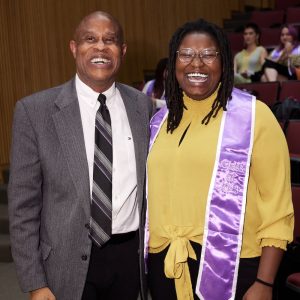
(49, 194)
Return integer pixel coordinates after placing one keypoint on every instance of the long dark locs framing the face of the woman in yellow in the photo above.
(174, 93)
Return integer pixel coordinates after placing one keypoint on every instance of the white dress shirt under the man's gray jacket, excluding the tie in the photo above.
(125, 216)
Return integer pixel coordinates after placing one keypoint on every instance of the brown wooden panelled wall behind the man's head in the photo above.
(35, 34)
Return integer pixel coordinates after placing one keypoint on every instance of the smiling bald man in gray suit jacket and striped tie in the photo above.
(60, 248)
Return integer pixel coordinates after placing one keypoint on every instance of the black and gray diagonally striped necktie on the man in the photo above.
(101, 204)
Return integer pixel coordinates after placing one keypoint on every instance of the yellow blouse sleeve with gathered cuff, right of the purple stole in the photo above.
(270, 168)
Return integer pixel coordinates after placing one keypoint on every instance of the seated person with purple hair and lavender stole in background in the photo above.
(277, 66)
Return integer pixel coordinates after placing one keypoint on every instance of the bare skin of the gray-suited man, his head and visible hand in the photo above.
(98, 50)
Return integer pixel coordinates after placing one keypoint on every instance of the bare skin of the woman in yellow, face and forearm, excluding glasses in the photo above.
(199, 88)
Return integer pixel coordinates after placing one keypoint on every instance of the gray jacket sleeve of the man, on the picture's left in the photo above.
(25, 201)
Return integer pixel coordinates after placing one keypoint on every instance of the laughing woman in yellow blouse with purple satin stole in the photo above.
(200, 184)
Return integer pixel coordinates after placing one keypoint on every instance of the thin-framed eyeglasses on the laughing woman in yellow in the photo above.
(207, 56)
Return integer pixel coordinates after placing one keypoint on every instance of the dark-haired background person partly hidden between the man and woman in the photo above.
(155, 88)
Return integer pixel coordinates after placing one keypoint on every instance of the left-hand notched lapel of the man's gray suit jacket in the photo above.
(70, 133)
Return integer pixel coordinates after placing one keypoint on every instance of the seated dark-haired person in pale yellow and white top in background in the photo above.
(248, 62)
